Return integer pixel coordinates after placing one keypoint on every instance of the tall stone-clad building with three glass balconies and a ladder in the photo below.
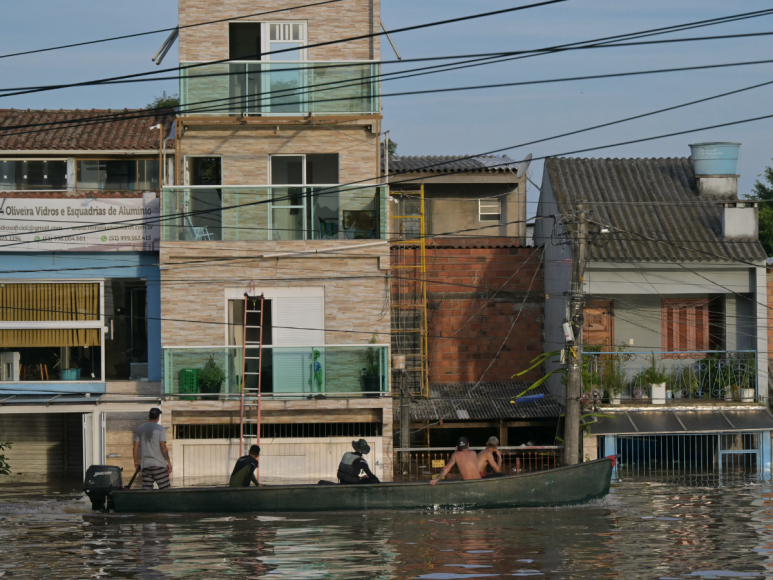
(277, 161)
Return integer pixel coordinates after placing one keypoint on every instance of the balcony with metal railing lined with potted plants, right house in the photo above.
(728, 376)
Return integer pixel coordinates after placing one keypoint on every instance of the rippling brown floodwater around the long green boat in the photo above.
(642, 530)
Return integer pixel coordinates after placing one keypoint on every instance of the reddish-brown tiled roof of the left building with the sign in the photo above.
(80, 130)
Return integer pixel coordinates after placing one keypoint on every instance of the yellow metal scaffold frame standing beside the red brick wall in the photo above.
(419, 300)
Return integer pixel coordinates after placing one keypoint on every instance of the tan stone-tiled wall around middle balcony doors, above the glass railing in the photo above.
(246, 151)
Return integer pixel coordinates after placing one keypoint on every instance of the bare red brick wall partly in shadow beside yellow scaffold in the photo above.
(461, 285)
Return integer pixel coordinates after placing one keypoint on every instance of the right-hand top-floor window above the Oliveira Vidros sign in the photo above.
(122, 175)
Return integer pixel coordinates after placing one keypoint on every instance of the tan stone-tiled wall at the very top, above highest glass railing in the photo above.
(324, 23)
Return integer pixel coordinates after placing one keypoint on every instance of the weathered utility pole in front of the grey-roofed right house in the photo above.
(573, 352)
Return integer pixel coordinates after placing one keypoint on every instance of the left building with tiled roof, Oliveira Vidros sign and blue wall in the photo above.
(80, 347)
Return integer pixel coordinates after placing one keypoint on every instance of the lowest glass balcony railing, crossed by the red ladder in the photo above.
(345, 371)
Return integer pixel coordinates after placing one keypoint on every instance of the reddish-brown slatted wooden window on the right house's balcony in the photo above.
(685, 323)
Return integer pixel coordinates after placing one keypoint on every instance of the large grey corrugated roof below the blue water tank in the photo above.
(657, 198)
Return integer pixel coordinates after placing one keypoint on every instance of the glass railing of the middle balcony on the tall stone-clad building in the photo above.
(258, 213)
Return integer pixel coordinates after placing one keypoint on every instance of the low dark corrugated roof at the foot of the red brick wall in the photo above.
(487, 401)
